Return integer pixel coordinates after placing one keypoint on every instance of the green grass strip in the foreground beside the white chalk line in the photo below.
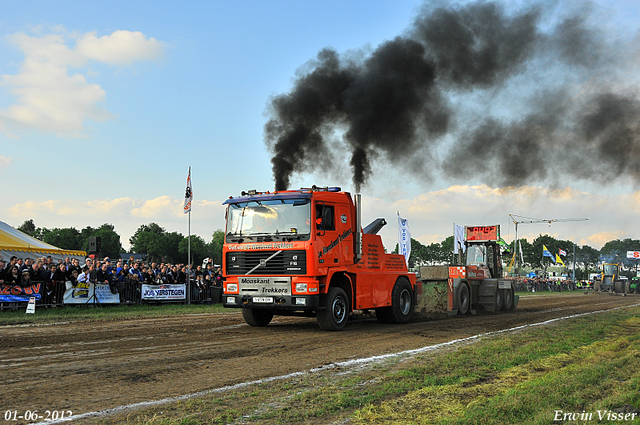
(580, 370)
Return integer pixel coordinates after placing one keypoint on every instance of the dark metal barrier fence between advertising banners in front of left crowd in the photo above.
(52, 295)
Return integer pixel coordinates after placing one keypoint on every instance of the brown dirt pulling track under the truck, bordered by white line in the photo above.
(100, 365)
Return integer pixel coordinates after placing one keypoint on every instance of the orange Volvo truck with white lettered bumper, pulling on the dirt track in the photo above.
(304, 252)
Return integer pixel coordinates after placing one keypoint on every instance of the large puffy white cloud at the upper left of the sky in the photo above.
(48, 97)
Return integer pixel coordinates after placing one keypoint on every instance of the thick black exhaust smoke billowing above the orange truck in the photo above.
(535, 102)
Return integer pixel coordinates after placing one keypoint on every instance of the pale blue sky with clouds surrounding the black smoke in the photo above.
(105, 106)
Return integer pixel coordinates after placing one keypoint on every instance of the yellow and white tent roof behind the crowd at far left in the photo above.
(14, 242)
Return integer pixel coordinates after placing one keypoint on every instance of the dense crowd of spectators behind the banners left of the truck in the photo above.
(123, 277)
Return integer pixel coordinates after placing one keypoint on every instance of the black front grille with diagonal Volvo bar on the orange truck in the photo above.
(284, 263)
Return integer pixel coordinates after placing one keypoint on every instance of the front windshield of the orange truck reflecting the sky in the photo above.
(286, 218)
